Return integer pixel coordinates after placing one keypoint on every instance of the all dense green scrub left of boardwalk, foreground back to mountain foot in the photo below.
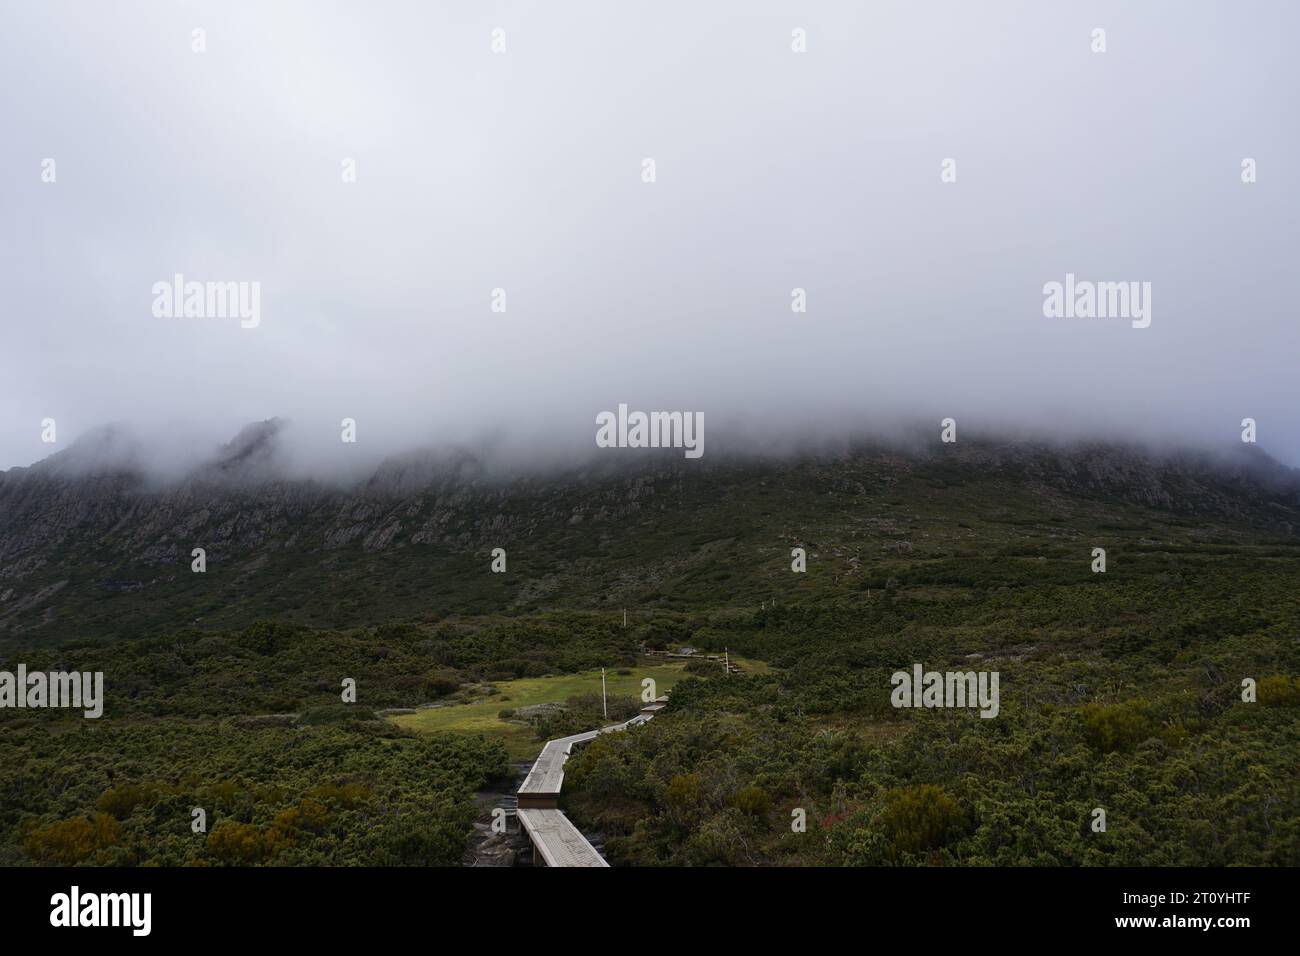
(252, 729)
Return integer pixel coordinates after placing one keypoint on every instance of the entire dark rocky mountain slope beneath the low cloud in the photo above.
(92, 543)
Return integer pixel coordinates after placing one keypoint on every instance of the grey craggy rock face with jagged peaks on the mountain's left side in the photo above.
(239, 504)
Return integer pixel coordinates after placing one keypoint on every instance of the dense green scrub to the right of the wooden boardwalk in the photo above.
(1119, 691)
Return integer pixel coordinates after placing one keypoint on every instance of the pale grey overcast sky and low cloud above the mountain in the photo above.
(523, 171)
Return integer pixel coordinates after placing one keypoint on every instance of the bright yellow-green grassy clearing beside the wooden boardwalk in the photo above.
(483, 716)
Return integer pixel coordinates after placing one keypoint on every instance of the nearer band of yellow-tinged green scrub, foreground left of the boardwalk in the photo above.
(357, 793)
